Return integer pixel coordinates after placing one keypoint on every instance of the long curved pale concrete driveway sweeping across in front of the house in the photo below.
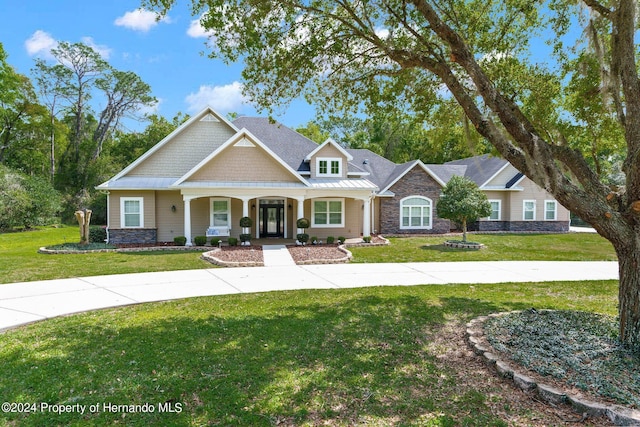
(22, 303)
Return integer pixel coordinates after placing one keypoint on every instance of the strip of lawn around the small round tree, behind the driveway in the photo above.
(500, 247)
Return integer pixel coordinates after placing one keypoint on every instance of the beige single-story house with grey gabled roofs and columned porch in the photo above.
(208, 173)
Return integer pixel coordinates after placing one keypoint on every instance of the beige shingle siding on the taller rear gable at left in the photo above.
(185, 150)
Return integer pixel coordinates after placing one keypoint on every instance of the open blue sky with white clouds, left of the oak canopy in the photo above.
(169, 55)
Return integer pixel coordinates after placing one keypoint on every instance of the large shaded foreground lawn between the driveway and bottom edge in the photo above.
(369, 356)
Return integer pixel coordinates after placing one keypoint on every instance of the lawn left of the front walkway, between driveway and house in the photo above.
(21, 262)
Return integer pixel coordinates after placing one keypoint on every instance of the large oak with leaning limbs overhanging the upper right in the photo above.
(347, 54)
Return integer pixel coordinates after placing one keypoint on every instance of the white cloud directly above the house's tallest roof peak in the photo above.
(224, 99)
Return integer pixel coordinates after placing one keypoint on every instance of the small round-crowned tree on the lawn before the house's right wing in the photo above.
(462, 201)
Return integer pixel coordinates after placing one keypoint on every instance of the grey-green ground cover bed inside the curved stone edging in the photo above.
(578, 348)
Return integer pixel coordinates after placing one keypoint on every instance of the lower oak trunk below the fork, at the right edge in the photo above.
(629, 294)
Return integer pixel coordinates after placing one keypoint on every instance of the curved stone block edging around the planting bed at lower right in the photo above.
(477, 340)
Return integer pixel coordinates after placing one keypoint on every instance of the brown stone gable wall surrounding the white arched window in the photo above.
(415, 183)
